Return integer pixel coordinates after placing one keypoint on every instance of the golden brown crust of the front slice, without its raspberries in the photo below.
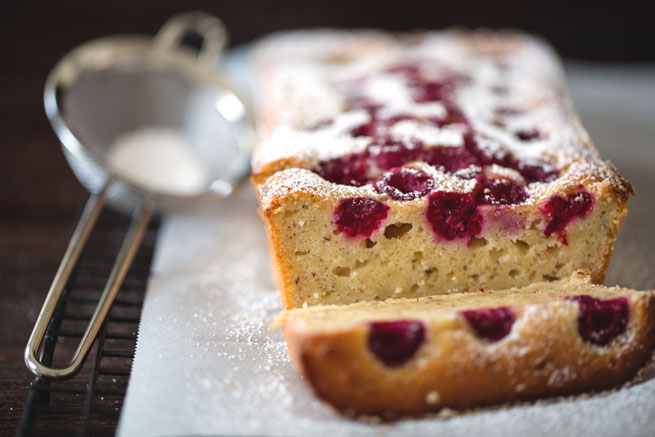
(543, 356)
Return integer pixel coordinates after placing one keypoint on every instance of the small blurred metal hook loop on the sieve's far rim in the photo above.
(209, 28)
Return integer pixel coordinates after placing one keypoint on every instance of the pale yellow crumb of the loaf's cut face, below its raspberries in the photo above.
(403, 258)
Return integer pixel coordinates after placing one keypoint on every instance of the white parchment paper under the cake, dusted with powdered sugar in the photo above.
(207, 364)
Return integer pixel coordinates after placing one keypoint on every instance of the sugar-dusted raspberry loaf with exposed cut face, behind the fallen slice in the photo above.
(402, 166)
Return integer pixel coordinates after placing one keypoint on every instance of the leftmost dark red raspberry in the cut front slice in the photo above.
(397, 341)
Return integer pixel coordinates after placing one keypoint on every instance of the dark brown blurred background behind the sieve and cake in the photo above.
(40, 199)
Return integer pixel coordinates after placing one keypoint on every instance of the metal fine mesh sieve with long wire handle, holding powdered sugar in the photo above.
(103, 98)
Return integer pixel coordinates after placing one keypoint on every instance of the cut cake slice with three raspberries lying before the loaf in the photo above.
(461, 351)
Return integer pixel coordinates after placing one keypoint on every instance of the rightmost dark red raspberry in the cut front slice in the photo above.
(601, 320)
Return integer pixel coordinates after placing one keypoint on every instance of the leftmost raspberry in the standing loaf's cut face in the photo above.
(360, 216)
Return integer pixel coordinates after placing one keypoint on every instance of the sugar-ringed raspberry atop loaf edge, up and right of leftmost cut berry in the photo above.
(404, 184)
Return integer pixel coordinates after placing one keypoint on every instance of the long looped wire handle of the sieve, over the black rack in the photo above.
(131, 242)
